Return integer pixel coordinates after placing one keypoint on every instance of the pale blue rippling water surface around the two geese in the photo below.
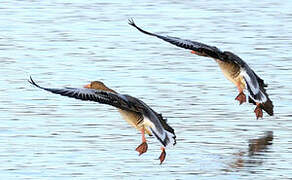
(69, 43)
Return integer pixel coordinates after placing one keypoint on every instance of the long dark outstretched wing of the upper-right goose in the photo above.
(200, 48)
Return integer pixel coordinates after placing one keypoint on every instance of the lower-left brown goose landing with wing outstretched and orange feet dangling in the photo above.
(134, 111)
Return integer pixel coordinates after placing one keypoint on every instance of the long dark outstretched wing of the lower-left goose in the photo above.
(103, 97)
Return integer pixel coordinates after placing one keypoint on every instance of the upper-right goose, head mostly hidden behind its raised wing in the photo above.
(233, 68)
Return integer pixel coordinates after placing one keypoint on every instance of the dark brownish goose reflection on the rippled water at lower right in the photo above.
(255, 156)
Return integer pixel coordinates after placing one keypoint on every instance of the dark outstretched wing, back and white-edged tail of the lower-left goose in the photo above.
(124, 102)
